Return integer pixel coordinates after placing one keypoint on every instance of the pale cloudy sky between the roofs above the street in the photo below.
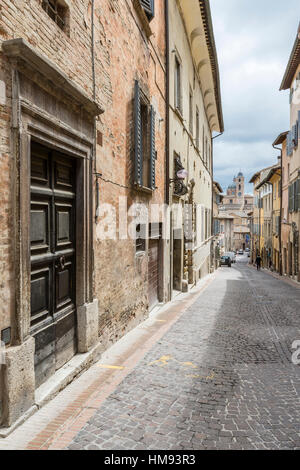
(254, 41)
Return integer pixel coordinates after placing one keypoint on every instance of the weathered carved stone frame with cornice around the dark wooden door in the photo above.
(49, 108)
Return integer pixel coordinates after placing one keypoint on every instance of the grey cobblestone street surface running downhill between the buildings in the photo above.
(221, 378)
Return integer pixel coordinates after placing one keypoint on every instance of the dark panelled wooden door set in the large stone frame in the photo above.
(52, 229)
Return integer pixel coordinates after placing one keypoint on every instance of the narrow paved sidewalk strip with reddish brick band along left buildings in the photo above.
(55, 425)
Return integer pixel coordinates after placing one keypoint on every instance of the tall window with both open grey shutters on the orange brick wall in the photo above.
(144, 140)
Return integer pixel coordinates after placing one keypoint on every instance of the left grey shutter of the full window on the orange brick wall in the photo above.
(138, 136)
